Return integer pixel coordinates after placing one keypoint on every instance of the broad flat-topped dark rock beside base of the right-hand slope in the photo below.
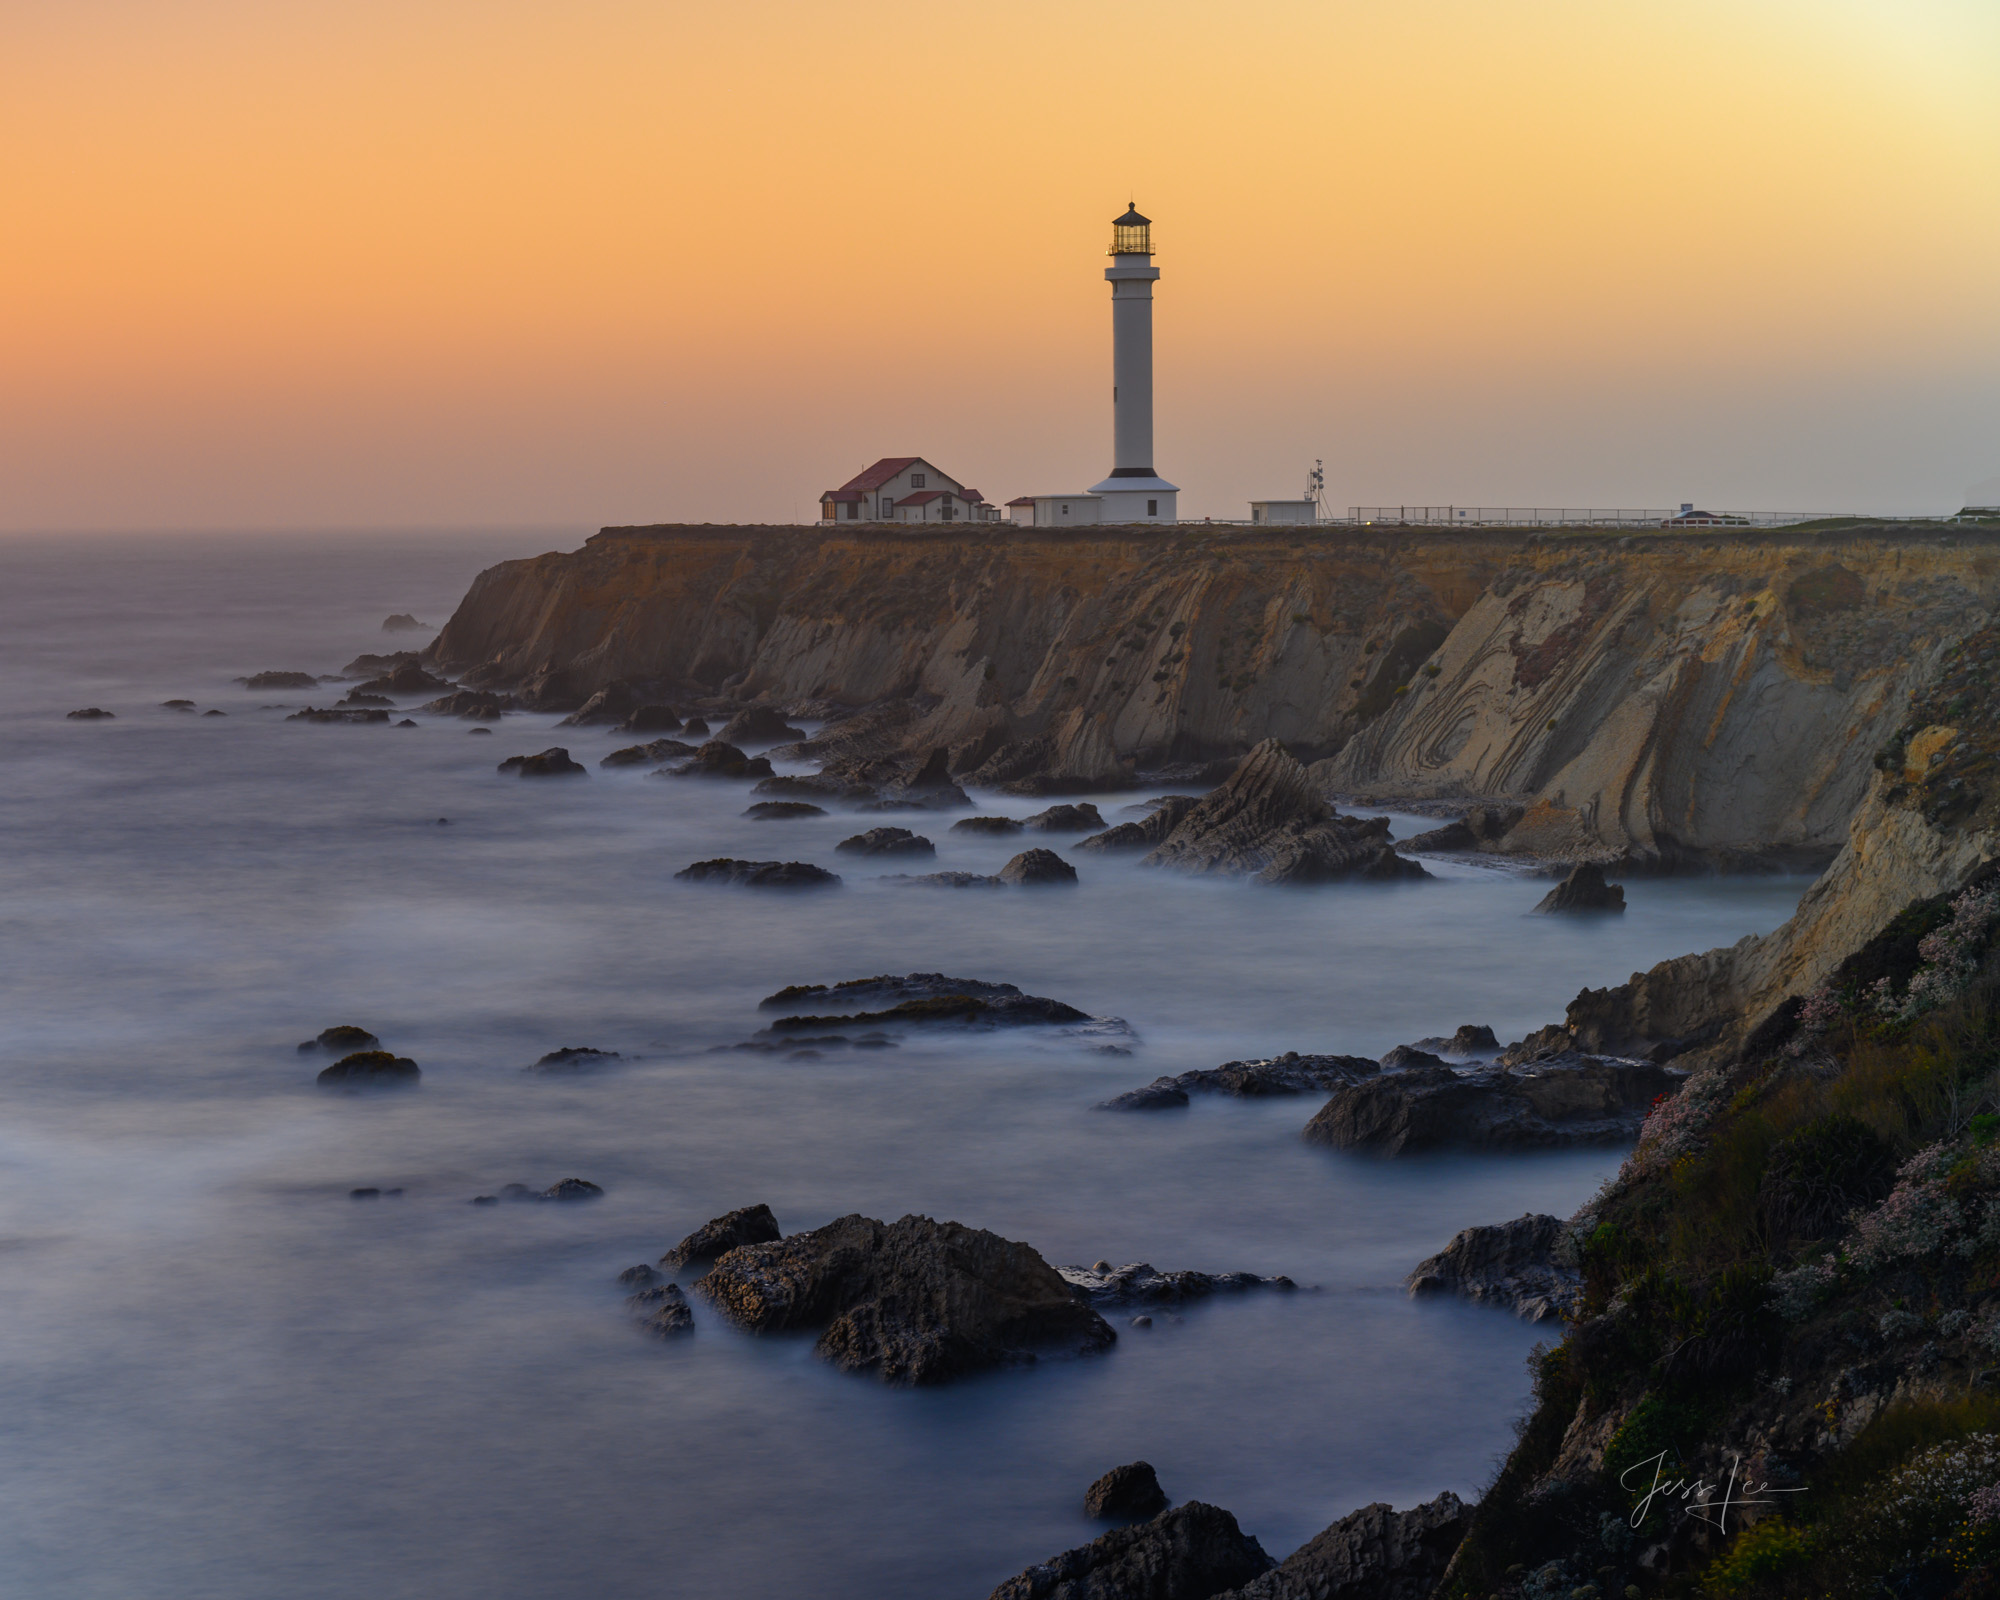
(1555, 1103)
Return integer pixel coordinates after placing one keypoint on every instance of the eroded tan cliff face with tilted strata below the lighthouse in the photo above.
(1659, 699)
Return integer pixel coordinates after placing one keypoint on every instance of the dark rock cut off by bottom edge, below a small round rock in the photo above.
(1191, 1553)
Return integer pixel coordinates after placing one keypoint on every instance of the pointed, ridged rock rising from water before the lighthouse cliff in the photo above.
(1271, 825)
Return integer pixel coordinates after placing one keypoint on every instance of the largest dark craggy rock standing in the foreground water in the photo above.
(911, 1301)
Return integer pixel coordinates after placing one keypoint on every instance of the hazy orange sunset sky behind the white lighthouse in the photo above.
(485, 261)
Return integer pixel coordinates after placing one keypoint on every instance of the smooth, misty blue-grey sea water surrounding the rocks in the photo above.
(225, 1379)
